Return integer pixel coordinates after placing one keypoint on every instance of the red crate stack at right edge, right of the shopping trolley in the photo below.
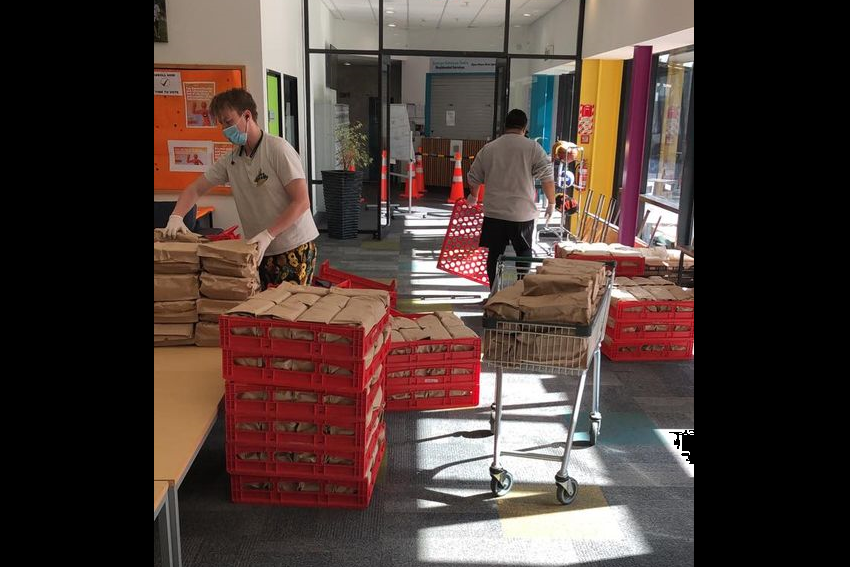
(650, 330)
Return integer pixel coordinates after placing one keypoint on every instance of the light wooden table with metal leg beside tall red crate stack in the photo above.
(187, 389)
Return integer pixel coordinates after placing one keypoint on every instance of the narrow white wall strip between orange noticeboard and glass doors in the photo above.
(283, 51)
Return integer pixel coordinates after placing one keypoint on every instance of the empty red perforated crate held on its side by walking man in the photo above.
(461, 254)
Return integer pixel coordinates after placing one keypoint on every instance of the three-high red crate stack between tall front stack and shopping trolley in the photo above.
(443, 378)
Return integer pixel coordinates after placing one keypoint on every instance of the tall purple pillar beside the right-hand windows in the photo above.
(635, 138)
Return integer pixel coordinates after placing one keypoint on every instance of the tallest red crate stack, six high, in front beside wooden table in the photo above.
(311, 436)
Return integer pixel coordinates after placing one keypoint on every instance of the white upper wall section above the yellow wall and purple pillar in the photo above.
(612, 27)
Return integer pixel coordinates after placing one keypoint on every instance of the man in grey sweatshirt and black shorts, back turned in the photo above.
(508, 166)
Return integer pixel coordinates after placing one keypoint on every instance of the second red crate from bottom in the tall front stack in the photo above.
(268, 463)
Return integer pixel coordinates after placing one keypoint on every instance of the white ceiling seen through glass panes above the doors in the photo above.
(440, 14)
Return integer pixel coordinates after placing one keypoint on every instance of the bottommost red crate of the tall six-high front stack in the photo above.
(270, 492)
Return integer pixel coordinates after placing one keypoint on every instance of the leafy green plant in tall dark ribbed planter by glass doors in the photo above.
(342, 187)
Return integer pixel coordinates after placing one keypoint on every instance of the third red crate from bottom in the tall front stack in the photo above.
(271, 438)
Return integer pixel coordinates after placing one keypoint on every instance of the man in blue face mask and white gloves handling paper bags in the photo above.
(269, 188)
